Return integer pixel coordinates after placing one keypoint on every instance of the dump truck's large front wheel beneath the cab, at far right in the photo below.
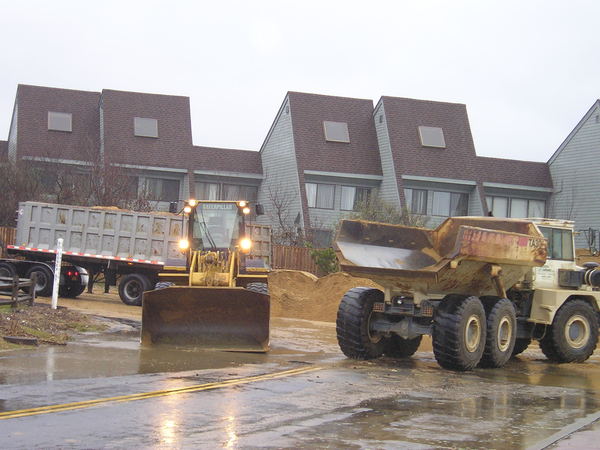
(573, 335)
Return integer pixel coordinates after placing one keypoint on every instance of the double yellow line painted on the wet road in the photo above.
(152, 394)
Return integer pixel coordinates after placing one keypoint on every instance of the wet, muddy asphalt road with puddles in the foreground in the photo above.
(341, 403)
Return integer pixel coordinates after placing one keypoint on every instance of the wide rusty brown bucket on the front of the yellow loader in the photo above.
(219, 318)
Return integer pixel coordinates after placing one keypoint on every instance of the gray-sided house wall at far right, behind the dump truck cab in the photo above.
(574, 173)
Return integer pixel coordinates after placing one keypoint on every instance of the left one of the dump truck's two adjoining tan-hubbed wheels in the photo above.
(459, 333)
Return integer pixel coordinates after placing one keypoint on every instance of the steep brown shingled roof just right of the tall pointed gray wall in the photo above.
(313, 152)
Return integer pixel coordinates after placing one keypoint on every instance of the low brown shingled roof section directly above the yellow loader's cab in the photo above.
(225, 160)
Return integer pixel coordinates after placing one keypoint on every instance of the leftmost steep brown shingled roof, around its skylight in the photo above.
(34, 138)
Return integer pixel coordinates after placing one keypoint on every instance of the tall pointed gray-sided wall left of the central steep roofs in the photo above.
(280, 171)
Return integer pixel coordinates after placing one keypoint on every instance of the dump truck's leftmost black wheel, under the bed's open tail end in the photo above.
(355, 338)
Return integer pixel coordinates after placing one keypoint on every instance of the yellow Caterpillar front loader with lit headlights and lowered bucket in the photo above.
(221, 302)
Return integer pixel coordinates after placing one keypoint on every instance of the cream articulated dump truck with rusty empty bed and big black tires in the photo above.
(482, 287)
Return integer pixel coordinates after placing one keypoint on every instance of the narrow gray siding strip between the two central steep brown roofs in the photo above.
(389, 186)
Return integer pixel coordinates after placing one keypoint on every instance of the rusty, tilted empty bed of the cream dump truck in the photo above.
(454, 258)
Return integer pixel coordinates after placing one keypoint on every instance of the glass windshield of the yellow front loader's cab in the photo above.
(215, 226)
